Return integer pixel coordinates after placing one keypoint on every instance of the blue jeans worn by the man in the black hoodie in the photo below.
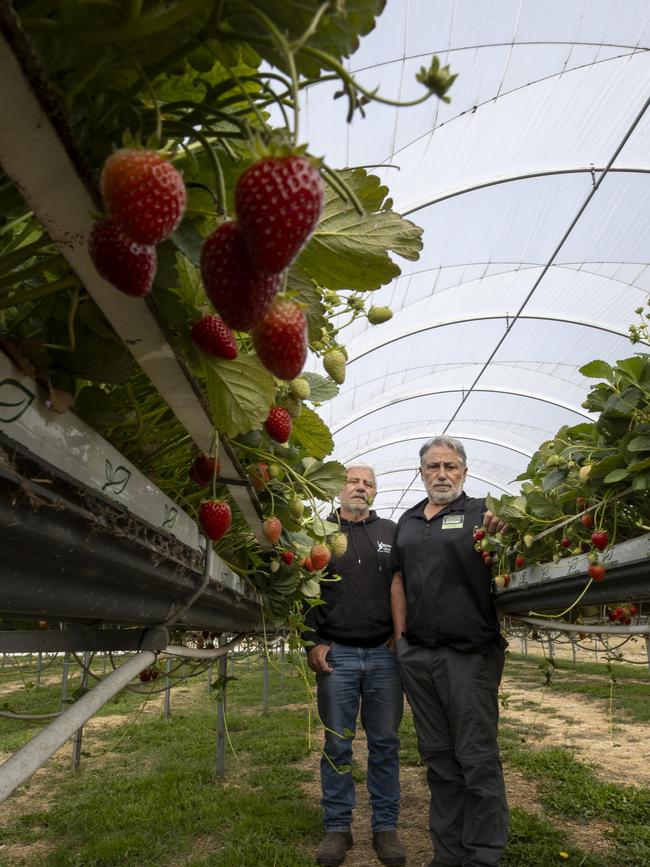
(366, 676)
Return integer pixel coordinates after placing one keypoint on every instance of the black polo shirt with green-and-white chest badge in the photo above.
(447, 585)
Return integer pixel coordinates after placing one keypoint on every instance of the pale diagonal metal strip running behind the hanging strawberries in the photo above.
(35, 156)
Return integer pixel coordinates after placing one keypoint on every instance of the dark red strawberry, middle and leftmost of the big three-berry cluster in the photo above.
(241, 295)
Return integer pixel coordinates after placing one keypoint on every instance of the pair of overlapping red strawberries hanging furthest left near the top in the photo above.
(145, 198)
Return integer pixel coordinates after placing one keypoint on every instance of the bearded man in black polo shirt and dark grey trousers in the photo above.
(450, 652)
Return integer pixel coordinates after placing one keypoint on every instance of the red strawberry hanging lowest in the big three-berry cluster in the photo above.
(280, 339)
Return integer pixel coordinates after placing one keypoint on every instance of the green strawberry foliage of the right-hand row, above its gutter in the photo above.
(602, 467)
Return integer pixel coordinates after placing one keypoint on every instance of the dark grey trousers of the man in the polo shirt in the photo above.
(454, 698)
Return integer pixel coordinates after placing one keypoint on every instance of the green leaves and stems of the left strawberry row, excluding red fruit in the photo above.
(197, 80)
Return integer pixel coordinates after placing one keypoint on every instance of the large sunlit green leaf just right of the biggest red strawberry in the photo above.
(352, 252)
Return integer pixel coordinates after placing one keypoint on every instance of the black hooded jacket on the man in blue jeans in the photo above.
(357, 608)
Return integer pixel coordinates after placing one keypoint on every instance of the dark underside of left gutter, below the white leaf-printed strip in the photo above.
(54, 565)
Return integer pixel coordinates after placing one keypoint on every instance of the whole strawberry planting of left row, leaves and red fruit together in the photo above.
(165, 109)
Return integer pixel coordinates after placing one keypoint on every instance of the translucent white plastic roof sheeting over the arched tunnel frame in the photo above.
(532, 187)
